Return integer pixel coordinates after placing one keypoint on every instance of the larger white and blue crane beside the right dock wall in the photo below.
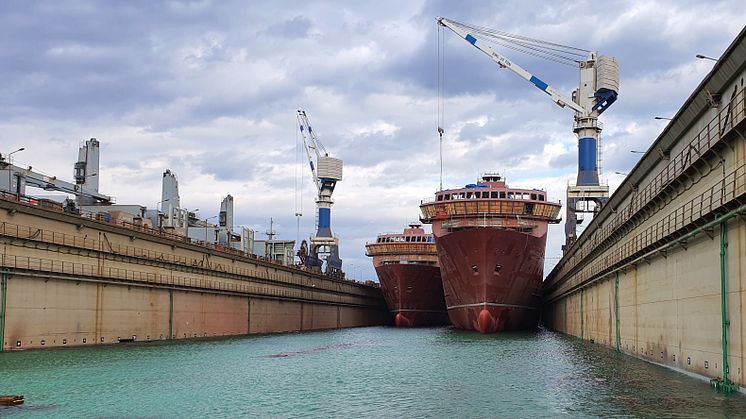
(598, 89)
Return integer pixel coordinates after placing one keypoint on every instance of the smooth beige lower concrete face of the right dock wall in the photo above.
(669, 310)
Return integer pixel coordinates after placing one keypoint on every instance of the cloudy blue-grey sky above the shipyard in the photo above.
(210, 89)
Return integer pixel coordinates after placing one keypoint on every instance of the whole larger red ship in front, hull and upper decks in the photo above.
(490, 241)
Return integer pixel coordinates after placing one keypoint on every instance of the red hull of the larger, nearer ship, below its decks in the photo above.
(492, 278)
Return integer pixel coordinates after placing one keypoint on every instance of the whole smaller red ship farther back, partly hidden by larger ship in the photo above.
(407, 268)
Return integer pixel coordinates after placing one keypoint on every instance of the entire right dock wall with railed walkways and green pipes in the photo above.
(660, 273)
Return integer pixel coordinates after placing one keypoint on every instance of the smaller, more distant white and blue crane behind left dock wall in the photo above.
(326, 171)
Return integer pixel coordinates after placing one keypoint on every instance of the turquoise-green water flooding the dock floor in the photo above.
(366, 372)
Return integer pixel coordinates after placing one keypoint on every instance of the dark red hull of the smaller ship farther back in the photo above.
(414, 294)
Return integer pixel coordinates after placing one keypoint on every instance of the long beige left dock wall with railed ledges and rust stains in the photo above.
(70, 280)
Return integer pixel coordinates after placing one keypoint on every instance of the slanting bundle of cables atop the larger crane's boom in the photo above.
(550, 51)
